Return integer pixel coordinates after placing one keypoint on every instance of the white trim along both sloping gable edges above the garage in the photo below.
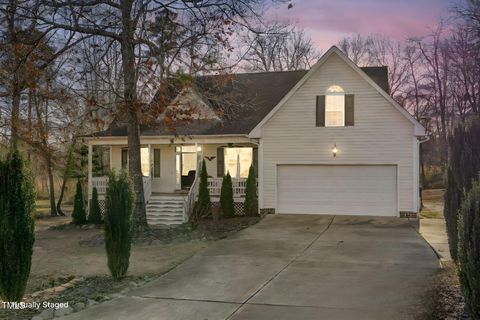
(419, 129)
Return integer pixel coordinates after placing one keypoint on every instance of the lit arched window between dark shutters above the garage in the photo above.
(335, 107)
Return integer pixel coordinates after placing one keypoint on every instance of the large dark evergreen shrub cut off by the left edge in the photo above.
(17, 202)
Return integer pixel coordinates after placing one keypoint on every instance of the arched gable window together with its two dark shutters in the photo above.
(335, 108)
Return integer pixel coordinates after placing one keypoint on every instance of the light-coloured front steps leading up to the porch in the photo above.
(165, 209)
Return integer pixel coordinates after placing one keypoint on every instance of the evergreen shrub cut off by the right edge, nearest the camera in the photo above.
(469, 249)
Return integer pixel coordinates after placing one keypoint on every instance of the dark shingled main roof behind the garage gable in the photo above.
(258, 96)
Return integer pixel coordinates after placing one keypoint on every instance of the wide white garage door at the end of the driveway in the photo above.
(337, 189)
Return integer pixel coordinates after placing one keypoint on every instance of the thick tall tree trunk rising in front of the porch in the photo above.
(131, 105)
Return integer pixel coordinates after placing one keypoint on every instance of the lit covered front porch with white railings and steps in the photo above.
(171, 173)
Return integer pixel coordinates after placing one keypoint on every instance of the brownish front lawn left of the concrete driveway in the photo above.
(70, 264)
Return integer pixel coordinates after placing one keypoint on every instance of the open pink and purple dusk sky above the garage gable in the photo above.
(328, 21)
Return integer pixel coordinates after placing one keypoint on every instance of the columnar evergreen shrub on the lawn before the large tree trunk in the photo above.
(119, 200)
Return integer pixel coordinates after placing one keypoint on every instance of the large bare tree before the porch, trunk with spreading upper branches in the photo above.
(130, 24)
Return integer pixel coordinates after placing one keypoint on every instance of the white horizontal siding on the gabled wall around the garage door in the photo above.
(381, 135)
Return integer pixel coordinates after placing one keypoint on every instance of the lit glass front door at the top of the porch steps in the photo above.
(185, 166)
